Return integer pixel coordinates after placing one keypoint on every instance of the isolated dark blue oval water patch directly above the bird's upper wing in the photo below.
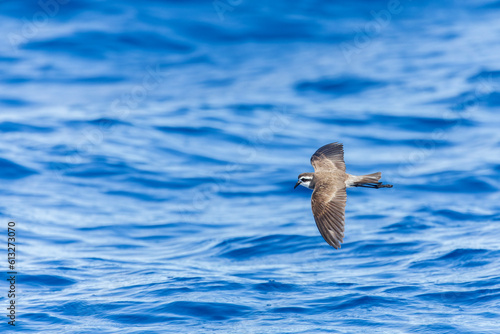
(338, 86)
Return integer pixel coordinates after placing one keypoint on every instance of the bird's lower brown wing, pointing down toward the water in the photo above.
(328, 206)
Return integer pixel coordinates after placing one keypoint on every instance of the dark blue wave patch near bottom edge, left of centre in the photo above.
(204, 310)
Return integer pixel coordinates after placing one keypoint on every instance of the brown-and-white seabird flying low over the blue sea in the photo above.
(329, 182)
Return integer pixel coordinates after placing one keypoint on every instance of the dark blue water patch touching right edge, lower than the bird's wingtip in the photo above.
(459, 258)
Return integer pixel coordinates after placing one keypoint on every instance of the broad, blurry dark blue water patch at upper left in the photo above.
(99, 45)
